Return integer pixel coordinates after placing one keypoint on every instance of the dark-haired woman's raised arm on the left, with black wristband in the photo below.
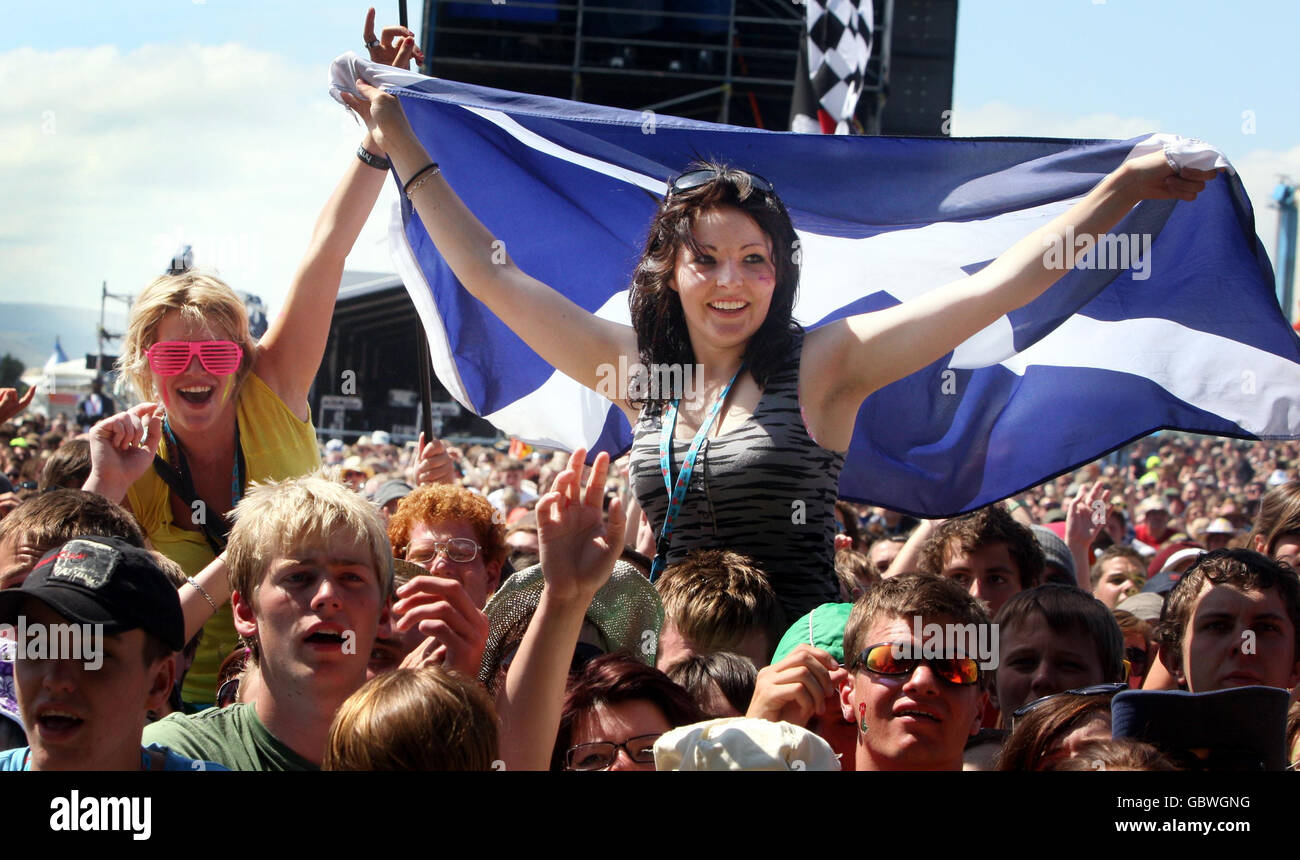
(566, 336)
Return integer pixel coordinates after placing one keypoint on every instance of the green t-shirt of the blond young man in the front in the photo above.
(232, 736)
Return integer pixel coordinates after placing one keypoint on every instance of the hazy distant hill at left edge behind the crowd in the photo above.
(28, 331)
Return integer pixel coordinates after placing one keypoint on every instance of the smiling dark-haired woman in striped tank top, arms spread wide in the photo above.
(712, 303)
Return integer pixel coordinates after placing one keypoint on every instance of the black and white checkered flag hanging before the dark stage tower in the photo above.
(833, 66)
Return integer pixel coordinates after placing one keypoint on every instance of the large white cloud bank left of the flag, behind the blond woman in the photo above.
(110, 160)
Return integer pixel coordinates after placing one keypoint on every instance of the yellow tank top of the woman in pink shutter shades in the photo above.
(276, 446)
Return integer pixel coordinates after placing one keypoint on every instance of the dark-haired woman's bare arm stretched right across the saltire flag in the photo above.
(859, 355)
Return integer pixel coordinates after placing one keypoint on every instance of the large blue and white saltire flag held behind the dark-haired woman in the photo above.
(1178, 329)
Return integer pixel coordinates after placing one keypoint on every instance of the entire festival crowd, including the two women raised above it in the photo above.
(201, 583)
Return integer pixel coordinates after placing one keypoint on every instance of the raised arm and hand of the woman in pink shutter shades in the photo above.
(293, 348)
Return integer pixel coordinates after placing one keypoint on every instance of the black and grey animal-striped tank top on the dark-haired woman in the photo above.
(765, 490)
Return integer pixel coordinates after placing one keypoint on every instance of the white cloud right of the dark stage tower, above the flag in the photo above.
(1258, 168)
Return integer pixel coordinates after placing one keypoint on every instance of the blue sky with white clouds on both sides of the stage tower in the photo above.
(129, 125)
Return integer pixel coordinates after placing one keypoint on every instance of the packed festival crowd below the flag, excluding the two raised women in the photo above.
(470, 607)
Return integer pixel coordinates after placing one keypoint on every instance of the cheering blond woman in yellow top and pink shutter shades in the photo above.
(223, 411)
